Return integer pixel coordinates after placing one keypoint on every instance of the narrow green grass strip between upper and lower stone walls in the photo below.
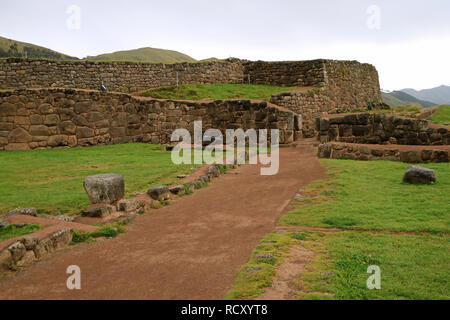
(215, 92)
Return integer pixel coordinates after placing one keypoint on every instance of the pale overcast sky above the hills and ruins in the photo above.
(407, 41)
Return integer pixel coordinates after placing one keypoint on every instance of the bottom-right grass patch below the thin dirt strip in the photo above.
(412, 267)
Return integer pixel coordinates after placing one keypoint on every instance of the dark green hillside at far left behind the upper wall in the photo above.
(18, 49)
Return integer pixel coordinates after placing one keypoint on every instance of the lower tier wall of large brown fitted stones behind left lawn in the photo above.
(45, 118)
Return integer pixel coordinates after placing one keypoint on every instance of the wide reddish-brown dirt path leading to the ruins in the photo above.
(191, 249)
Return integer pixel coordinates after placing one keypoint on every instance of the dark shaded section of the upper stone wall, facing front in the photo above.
(285, 73)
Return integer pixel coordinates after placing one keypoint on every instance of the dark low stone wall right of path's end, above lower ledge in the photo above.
(379, 128)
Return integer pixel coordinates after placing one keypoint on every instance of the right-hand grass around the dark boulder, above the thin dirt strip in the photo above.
(371, 196)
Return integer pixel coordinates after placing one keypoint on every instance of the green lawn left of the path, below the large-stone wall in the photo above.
(51, 180)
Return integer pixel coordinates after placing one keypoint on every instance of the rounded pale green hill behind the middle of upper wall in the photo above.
(144, 55)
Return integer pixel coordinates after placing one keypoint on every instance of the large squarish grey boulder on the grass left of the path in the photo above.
(104, 188)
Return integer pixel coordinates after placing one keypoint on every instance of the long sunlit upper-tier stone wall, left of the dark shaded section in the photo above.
(117, 76)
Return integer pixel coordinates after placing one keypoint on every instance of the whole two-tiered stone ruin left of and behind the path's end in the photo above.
(46, 104)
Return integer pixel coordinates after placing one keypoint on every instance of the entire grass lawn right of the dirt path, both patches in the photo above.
(363, 196)
